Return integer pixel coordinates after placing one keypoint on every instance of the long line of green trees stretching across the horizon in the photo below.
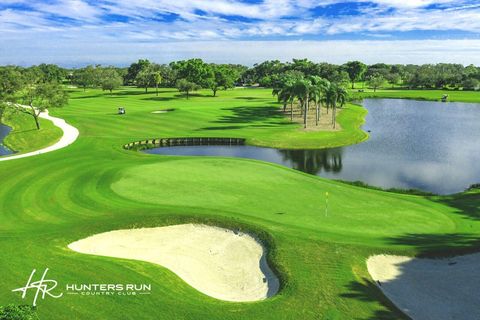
(192, 74)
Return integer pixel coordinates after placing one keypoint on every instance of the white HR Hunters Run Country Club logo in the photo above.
(44, 287)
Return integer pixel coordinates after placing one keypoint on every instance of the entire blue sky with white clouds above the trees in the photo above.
(79, 32)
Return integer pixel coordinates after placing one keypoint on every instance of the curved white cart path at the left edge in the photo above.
(70, 134)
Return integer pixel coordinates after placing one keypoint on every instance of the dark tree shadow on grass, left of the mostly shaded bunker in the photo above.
(366, 291)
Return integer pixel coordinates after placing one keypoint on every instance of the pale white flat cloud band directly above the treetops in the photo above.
(72, 52)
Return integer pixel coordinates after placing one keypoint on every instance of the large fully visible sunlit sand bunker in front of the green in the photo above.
(215, 261)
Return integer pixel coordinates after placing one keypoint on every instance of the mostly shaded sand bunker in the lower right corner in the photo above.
(436, 289)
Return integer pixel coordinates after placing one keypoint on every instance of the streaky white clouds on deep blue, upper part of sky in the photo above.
(52, 23)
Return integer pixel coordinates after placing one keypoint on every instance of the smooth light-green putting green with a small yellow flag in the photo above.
(288, 198)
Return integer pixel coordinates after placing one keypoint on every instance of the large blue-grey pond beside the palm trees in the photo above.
(424, 145)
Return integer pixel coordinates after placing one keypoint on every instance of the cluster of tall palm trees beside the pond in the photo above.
(310, 91)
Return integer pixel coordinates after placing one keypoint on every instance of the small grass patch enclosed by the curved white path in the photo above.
(25, 137)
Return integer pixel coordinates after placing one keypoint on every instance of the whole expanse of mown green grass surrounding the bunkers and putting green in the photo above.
(94, 185)
